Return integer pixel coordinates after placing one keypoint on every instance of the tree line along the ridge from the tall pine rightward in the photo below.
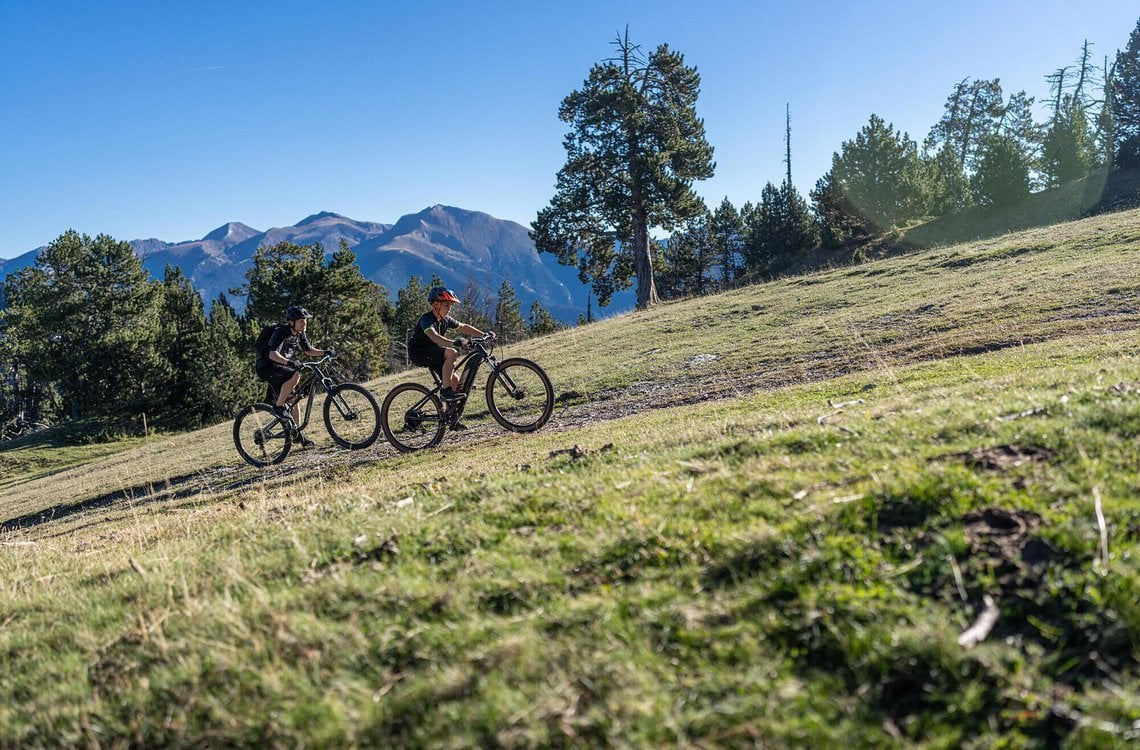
(637, 145)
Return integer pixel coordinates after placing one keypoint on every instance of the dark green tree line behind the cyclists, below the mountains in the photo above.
(92, 340)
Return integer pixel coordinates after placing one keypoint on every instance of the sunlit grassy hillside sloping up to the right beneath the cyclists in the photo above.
(760, 519)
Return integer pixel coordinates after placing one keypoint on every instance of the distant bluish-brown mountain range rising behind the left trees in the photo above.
(452, 243)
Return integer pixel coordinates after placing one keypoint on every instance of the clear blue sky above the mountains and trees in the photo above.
(170, 119)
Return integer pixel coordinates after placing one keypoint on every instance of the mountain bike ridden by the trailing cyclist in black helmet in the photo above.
(352, 417)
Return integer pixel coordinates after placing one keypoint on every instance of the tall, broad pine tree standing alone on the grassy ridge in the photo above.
(636, 148)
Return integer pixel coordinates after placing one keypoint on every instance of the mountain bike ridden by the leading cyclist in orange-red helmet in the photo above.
(519, 396)
